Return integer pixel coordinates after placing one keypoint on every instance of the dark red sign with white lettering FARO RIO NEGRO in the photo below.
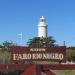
(55, 53)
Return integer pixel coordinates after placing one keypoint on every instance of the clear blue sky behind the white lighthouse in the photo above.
(18, 16)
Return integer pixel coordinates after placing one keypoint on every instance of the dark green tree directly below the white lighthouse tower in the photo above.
(41, 42)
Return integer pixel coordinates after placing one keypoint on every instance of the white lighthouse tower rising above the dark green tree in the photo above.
(42, 27)
